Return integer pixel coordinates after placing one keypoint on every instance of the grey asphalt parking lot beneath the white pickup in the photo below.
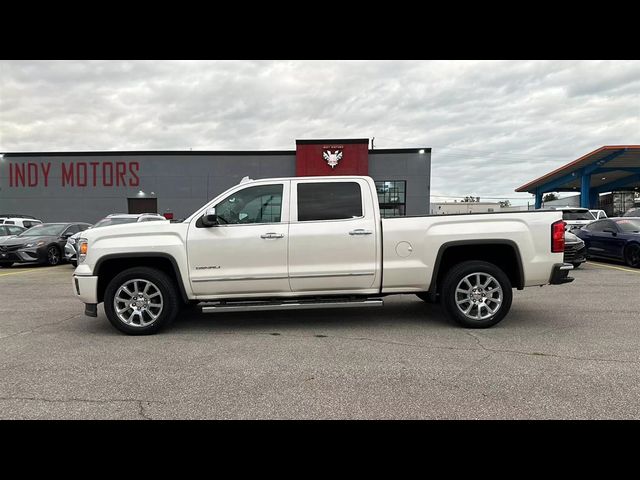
(564, 352)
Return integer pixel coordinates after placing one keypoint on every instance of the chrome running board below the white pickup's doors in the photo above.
(249, 306)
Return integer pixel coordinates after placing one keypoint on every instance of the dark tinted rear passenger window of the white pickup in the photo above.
(329, 201)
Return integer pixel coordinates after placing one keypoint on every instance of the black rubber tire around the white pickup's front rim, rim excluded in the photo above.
(171, 301)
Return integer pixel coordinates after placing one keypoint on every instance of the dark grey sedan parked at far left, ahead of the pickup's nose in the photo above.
(40, 244)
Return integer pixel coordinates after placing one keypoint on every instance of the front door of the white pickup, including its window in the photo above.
(246, 253)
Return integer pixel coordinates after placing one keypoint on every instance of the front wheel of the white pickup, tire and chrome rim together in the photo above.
(141, 301)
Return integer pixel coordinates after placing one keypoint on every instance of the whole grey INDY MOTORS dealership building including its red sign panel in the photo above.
(86, 186)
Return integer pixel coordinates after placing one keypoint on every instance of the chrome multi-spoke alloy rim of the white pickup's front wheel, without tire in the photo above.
(138, 302)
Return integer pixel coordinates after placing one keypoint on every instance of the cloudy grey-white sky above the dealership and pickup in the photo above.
(492, 125)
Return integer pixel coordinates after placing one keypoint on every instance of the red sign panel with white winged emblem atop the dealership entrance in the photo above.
(332, 157)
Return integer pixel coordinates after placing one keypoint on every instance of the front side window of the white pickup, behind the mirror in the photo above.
(260, 204)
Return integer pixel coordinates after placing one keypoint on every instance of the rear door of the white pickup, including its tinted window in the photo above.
(332, 237)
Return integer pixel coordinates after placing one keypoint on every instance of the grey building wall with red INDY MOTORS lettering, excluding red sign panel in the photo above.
(59, 187)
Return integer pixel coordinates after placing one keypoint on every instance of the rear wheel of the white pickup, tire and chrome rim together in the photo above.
(476, 294)
